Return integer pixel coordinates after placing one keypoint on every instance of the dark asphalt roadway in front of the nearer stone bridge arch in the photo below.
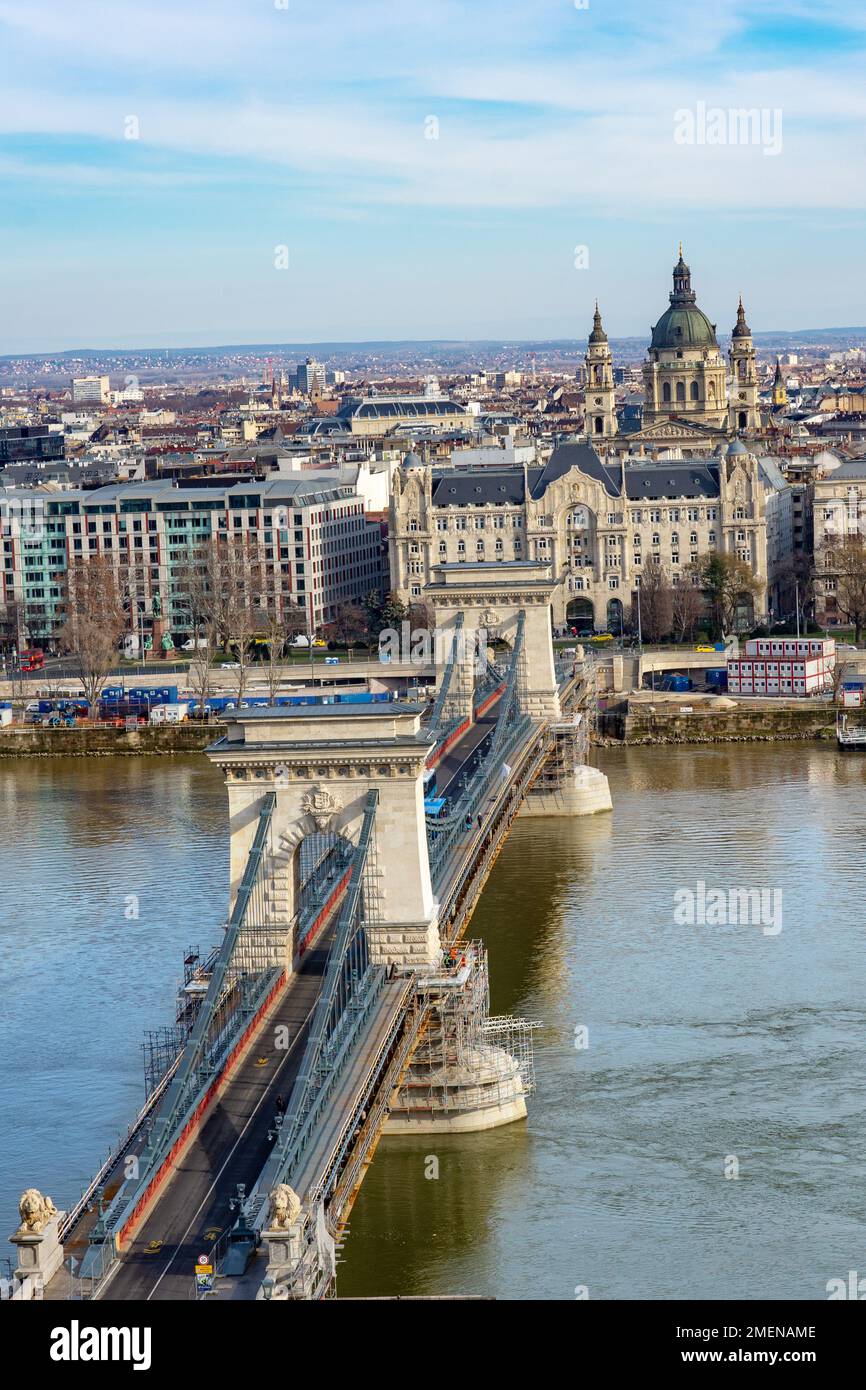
(231, 1149)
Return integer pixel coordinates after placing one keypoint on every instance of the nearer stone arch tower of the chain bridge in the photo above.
(320, 762)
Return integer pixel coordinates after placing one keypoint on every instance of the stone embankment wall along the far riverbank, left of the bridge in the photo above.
(31, 740)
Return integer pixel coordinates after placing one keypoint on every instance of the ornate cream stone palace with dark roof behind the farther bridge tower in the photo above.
(597, 522)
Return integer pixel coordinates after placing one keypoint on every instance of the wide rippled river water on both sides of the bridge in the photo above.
(697, 1129)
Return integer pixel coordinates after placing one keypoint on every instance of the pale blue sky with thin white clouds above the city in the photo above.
(187, 173)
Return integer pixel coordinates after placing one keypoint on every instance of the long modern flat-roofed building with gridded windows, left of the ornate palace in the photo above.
(307, 540)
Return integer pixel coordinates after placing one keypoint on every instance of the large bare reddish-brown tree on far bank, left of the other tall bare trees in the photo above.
(94, 622)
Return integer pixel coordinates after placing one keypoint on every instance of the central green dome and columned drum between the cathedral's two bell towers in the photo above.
(685, 377)
